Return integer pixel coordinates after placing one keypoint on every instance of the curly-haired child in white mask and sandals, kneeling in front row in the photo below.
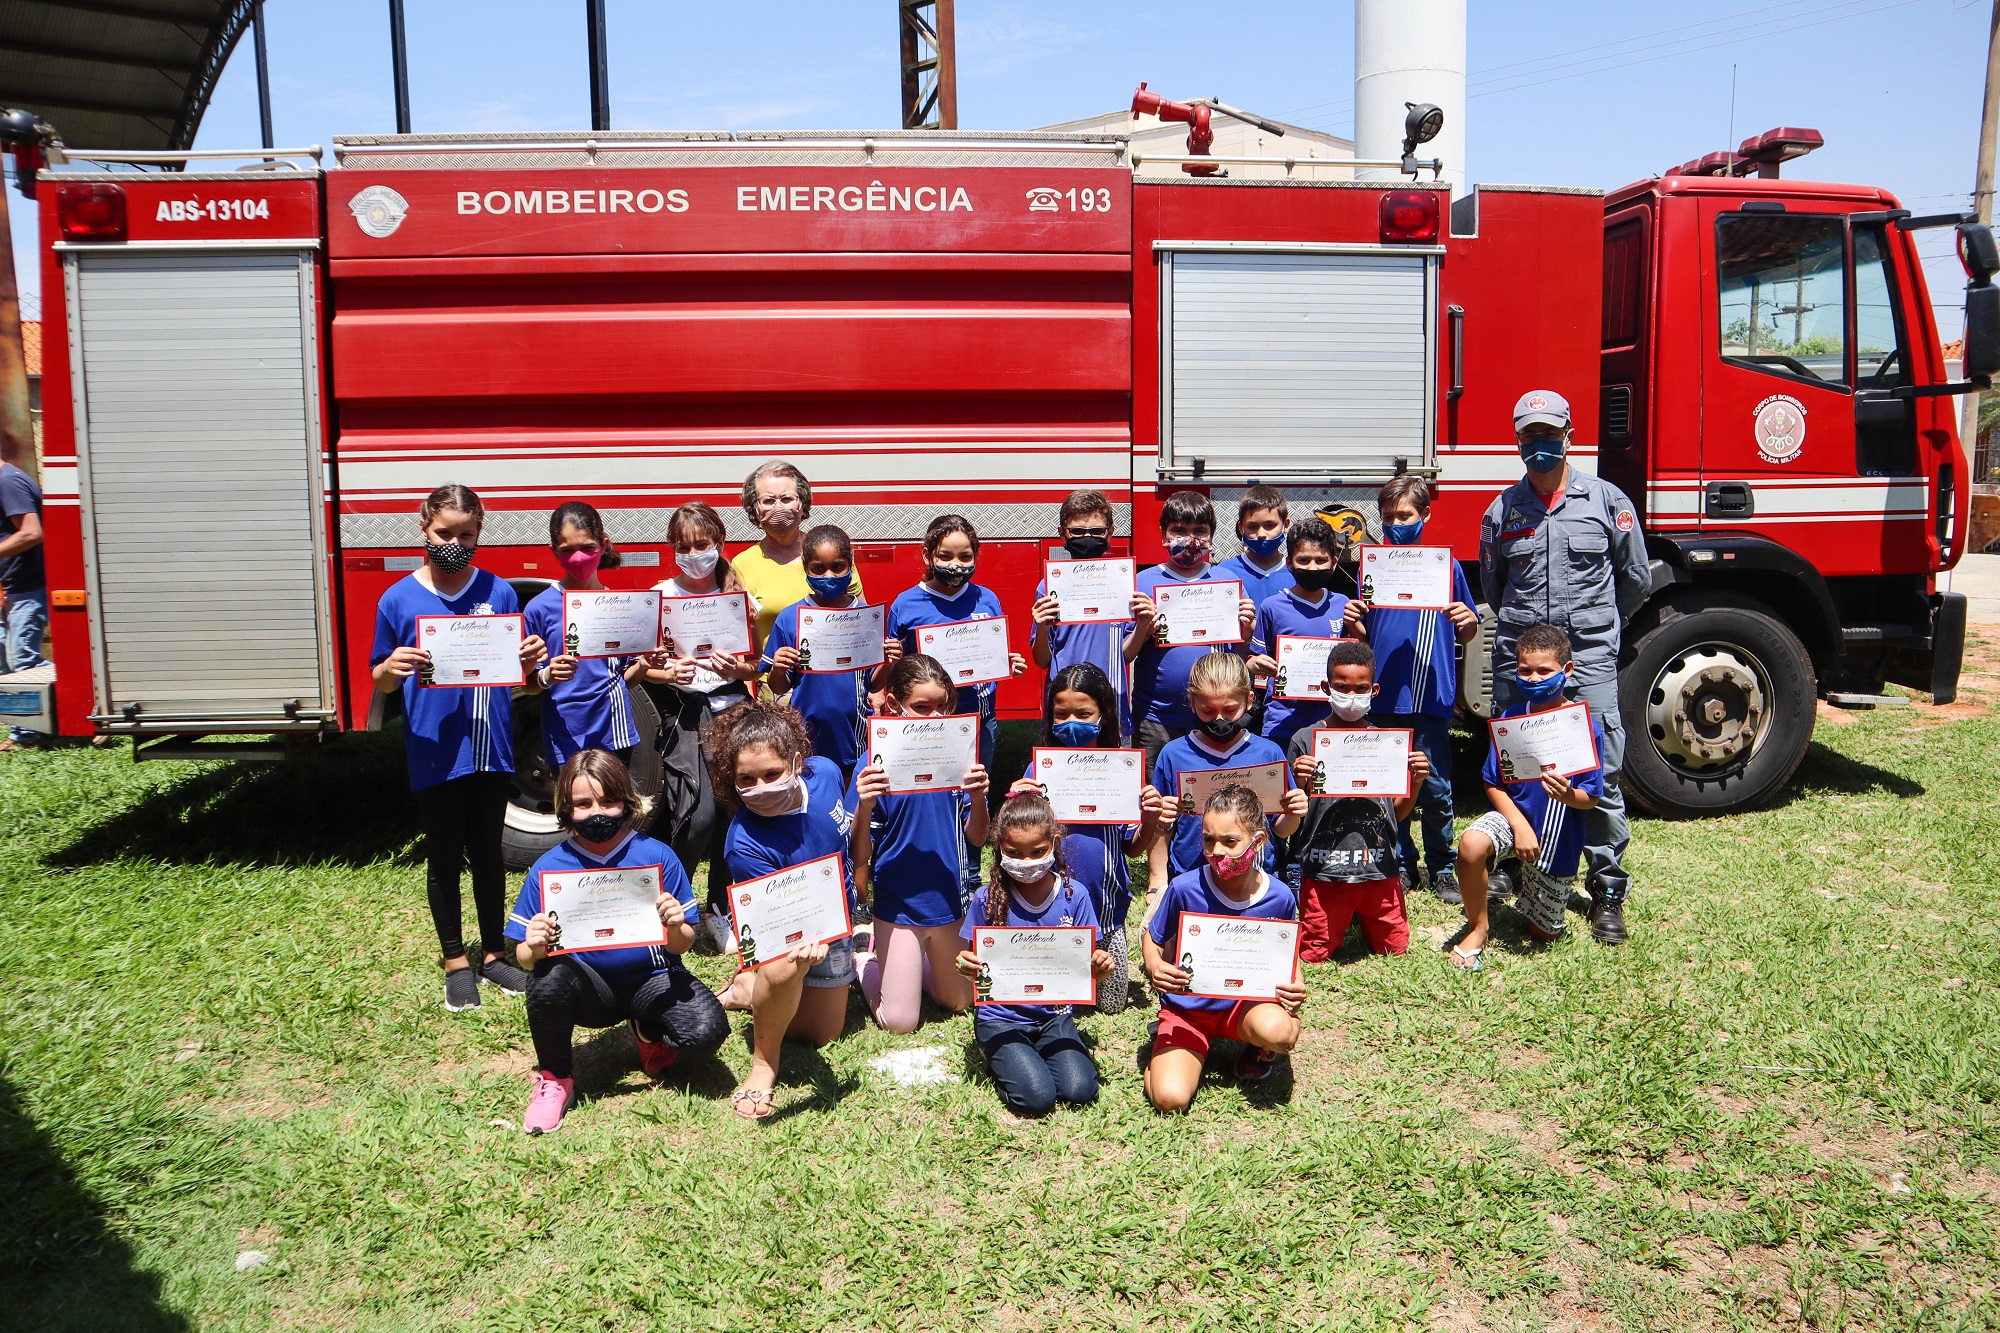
(791, 810)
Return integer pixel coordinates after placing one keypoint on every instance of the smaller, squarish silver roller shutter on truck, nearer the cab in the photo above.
(1295, 363)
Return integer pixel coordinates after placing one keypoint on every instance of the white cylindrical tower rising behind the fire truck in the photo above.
(1411, 51)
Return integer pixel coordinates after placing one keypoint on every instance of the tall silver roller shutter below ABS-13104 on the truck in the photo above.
(199, 465)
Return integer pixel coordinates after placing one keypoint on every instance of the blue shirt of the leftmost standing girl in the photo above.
(449, 734)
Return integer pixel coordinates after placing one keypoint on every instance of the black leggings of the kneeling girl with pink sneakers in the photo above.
(671, 1006)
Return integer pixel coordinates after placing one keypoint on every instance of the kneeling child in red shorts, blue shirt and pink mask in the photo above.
(1229, 884)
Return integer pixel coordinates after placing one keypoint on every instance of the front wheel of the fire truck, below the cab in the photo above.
(1719, 702)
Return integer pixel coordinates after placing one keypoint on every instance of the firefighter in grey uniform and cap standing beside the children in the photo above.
(1565, 547)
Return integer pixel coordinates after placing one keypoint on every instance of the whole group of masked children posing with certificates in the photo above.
(773, 772)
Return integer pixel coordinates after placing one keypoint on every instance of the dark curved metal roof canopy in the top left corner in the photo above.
(119, 73)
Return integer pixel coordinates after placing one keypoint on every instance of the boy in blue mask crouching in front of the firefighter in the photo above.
(1539, 820)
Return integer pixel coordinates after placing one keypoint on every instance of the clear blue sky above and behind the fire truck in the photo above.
(1561, 91)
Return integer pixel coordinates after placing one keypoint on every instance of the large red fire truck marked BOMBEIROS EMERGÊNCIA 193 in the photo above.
(253, 379)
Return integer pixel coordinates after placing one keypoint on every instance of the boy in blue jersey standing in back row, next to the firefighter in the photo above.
(1417, 672)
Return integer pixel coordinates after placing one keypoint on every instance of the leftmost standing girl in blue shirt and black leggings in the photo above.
(459, 742)
